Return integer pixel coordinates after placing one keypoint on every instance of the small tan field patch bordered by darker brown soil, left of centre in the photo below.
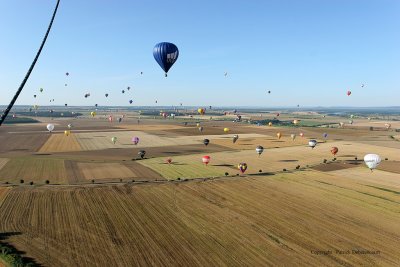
(105, 170)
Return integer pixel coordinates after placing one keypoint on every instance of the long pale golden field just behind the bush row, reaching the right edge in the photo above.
(272, 160)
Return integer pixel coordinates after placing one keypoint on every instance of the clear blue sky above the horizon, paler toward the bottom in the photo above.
(307, 53)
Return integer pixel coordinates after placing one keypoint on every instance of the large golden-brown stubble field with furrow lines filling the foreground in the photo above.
(272, 220)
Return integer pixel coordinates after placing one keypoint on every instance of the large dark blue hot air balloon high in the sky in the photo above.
(166, 55)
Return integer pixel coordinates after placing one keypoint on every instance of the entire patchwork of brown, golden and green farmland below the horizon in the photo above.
(106, 206)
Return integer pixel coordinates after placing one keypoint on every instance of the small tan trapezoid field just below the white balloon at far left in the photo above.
(60, 143)
